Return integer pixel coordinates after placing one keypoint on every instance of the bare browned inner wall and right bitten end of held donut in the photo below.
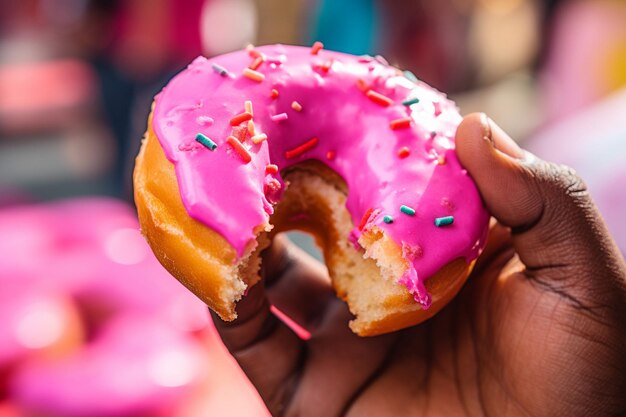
(363, 274)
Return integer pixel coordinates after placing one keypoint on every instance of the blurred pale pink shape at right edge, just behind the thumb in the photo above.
(594, 143)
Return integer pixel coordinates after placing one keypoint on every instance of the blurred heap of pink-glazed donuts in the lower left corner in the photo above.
(92, 325)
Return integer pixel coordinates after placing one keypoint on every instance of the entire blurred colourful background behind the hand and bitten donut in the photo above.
(76, 81)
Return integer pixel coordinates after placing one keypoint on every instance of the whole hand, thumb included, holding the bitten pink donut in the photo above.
(538, 330)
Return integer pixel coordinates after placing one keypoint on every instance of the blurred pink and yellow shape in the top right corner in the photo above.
(587, 55)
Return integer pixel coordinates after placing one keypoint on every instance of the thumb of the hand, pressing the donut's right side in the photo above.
(554, 223)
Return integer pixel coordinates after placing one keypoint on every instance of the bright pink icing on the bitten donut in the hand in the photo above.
(233, 197)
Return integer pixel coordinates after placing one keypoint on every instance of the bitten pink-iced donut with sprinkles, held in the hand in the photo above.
(249, 144)
